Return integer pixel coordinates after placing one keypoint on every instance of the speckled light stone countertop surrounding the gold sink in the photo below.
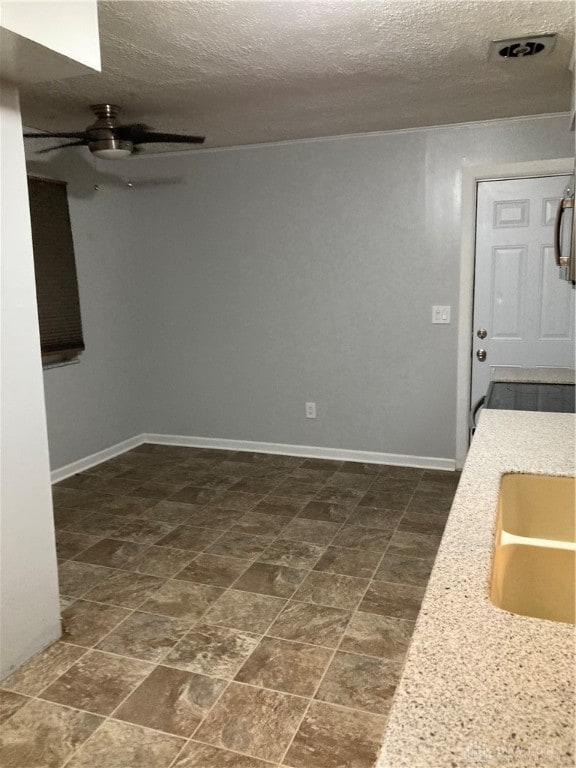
(483, 687)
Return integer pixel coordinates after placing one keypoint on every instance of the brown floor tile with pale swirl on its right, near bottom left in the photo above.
(171, 700)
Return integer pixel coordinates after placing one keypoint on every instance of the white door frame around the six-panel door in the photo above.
(471, 177)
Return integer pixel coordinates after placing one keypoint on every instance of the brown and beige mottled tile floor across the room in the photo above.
(226, 610)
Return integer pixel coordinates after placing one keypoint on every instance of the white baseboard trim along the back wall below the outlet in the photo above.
(306, 451)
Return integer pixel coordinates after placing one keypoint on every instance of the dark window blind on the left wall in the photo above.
(55, 267)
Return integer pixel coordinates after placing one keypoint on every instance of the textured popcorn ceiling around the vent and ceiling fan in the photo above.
(247, 71)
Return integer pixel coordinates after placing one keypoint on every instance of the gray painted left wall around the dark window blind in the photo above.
(97, 402)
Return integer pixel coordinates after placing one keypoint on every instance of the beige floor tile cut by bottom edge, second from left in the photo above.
(120, 745)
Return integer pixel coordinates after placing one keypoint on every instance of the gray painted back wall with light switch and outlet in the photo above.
(275, 275)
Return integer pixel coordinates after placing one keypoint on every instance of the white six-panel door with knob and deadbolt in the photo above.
(525, 309)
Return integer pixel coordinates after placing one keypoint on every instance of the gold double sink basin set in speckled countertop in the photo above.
(533, 571)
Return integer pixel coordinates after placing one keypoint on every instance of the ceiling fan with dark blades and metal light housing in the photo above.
(108, 139)
